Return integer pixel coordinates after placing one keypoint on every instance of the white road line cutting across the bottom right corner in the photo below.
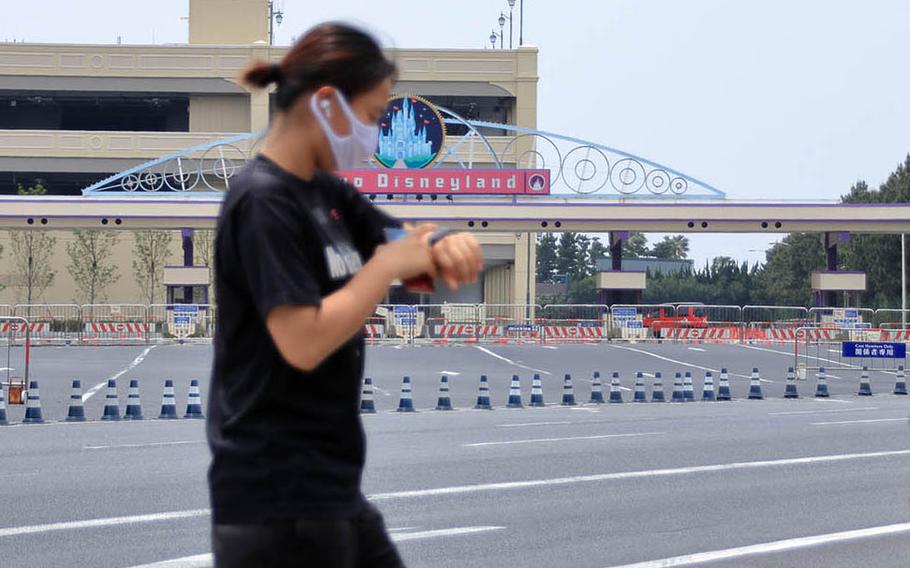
(771, 547)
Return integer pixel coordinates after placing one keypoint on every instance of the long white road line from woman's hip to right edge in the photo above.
(623, 475)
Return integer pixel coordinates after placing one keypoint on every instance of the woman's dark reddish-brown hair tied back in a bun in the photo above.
(329, 54)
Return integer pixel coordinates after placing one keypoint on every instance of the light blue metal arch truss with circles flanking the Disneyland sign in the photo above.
(576, 166)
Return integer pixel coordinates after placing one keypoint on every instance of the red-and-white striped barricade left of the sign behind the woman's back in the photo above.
(116, 324)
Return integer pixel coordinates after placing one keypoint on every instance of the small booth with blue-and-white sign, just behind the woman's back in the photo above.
(187, 298)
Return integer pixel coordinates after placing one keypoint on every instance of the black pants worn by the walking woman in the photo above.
(359, 542)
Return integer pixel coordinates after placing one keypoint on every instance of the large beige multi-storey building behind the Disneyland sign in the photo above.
(71, 115)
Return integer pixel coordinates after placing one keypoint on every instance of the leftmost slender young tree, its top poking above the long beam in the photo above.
(32, 251)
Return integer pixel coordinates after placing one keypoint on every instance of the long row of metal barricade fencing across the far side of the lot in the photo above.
(131, 324)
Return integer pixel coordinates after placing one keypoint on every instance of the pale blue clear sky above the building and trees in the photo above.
(778, 99)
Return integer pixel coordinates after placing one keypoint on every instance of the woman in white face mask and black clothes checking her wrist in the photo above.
(300, 263)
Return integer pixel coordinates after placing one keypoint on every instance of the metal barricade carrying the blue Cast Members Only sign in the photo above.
(824, 347)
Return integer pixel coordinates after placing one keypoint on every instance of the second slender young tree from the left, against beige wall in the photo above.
(90, 264)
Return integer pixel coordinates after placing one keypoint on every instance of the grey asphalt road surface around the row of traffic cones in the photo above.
(592, 486)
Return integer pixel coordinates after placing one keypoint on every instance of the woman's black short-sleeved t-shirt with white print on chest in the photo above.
(286, 444)
